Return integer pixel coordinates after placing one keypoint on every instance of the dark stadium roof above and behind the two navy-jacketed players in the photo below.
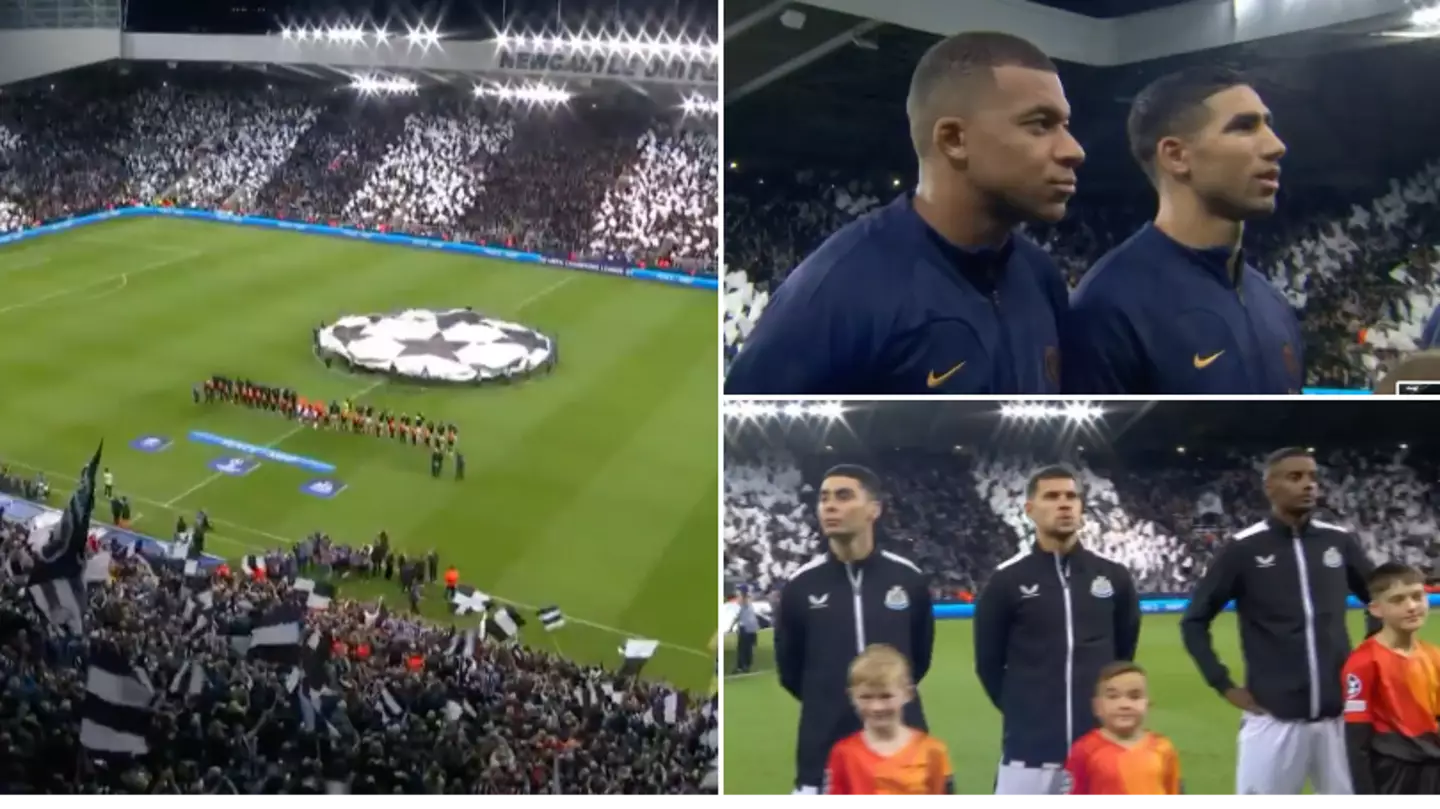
(822, 84)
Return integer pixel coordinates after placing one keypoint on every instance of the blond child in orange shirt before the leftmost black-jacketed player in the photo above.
(886, 758)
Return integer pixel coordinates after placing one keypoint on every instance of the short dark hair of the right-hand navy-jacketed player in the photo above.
(1174, 106)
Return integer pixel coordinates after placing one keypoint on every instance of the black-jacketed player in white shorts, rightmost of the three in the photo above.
(1290, 578)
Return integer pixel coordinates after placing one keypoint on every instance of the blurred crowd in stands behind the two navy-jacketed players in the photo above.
(1360, 273)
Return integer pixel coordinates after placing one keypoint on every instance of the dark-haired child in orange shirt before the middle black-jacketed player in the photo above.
(1122, 758)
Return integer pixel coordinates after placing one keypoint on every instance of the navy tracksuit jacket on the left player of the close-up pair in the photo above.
(889, 307)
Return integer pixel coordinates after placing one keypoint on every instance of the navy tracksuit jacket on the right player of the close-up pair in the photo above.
(1156, 317)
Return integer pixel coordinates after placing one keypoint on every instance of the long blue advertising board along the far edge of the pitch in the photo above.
(675, 279)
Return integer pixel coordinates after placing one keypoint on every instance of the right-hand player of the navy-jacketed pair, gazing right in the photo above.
(1177, 309)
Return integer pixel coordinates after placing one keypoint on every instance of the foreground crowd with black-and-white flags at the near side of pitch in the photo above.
(480, 720)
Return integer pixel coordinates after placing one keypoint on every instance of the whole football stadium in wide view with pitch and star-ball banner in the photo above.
(306, 274)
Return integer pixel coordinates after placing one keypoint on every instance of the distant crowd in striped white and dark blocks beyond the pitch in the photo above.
(595, 182)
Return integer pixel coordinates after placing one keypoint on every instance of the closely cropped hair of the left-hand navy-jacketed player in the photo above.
(957, 63)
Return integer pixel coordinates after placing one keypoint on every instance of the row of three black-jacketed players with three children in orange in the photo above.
(855, 634)
